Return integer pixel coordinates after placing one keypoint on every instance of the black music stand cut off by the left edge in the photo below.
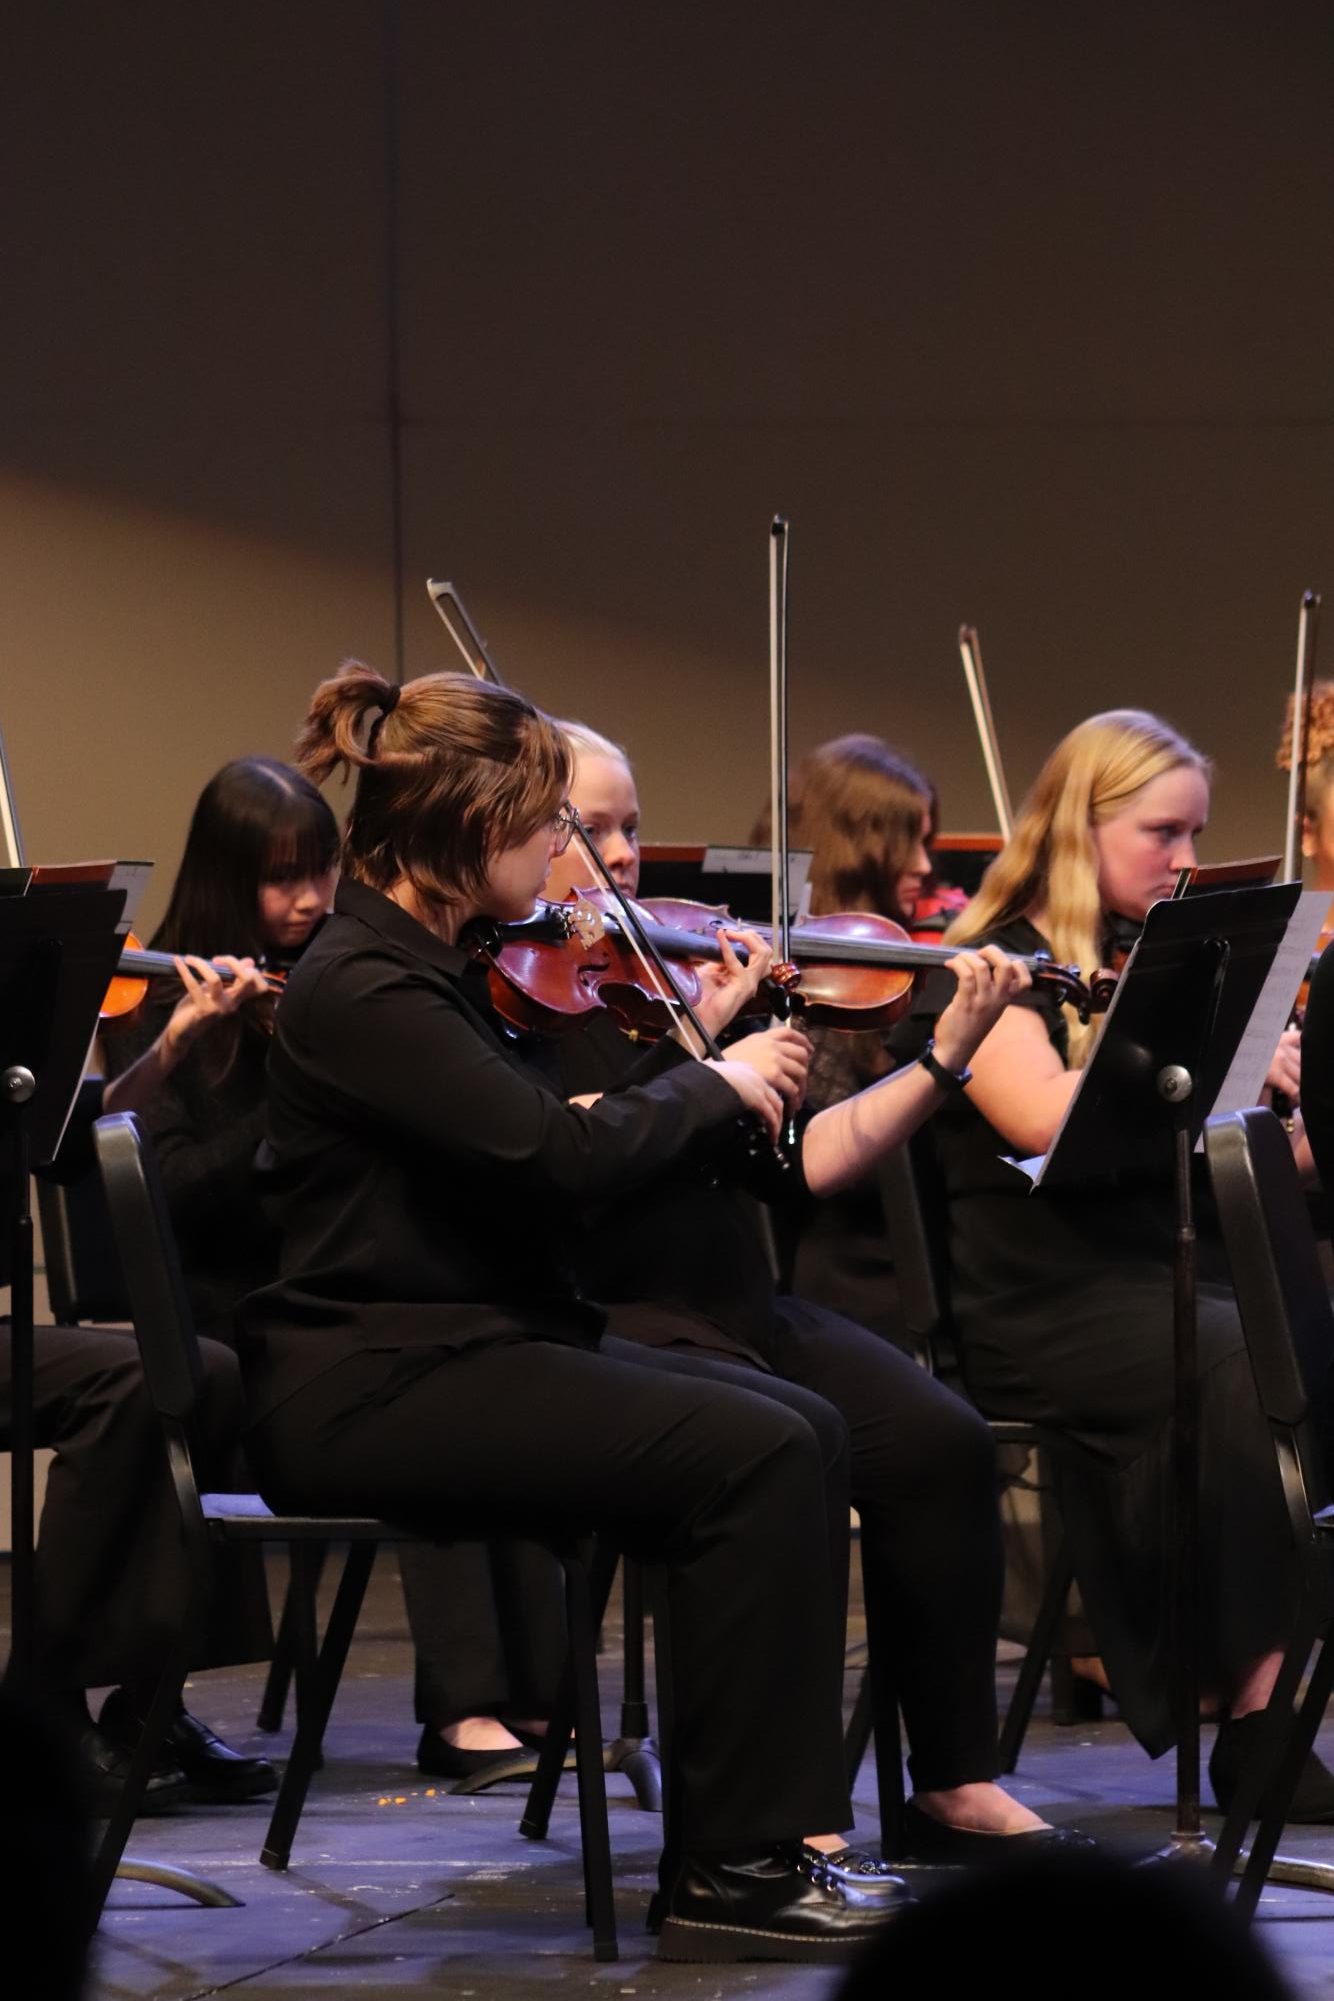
(59, 951)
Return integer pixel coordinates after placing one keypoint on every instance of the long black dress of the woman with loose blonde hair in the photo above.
(1065, 1316)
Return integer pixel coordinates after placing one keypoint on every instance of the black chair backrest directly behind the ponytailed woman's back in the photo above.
(155, 1286)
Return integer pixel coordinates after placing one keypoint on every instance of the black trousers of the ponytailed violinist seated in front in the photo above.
(741, 1498)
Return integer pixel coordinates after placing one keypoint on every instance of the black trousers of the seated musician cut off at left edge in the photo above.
(109, 1562)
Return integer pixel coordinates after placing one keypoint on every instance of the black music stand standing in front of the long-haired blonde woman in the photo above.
(1161, 1062)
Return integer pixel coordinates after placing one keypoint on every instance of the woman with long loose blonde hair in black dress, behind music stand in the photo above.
(1065, 1302)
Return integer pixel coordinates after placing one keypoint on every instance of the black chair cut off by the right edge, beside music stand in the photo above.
(1289, 1328)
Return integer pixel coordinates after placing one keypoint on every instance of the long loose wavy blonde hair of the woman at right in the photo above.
(1051, 859)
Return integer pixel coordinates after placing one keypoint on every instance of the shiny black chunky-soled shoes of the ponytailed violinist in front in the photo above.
(777, 1906)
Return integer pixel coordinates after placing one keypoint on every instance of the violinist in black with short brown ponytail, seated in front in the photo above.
(427, 1352)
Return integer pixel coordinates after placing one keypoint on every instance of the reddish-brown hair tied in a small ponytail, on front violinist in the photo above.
(449, 773)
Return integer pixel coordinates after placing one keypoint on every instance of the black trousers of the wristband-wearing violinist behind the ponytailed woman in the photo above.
(925, 1488)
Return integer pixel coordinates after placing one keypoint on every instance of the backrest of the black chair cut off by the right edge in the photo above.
(1277, 1278)
